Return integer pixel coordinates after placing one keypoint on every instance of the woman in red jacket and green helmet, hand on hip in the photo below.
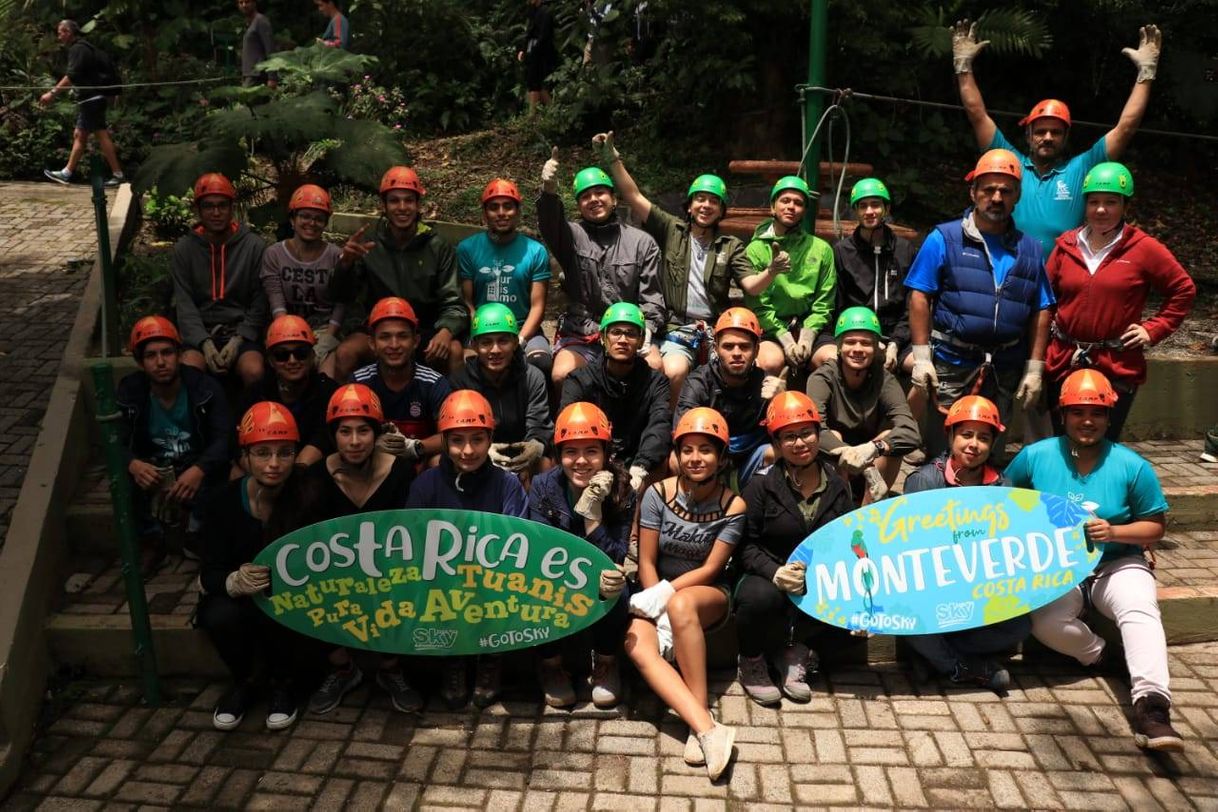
(1103, 275)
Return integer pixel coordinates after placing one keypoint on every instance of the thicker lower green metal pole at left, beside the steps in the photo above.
(125, 527)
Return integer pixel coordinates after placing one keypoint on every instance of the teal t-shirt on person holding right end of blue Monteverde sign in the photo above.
(1121, 489)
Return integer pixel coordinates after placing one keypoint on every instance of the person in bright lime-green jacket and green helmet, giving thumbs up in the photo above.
(796, 306)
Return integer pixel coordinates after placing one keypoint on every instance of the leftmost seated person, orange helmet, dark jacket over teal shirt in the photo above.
(175, 436)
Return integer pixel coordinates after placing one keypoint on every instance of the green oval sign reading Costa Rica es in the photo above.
(434, 583)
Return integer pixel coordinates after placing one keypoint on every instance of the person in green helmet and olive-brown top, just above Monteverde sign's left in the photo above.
(865, 419)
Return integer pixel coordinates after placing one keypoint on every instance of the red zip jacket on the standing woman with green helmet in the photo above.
(1102, 307)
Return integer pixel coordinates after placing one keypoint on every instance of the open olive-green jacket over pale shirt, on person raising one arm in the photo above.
(725, 261)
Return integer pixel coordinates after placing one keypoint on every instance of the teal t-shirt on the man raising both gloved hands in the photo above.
(1053, 205)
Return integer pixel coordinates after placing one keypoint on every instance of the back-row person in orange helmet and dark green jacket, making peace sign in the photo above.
(407, 259)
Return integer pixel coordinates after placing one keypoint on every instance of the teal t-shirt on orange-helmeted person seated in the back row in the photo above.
(504, 273)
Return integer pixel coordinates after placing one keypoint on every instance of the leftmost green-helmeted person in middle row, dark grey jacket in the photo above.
(517, 391)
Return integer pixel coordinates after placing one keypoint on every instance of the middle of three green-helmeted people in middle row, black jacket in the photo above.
(633, 395)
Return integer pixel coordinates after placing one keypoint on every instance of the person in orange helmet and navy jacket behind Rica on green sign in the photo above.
(467, 480)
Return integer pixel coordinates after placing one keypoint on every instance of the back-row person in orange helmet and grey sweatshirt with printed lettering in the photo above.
(297, 272)
